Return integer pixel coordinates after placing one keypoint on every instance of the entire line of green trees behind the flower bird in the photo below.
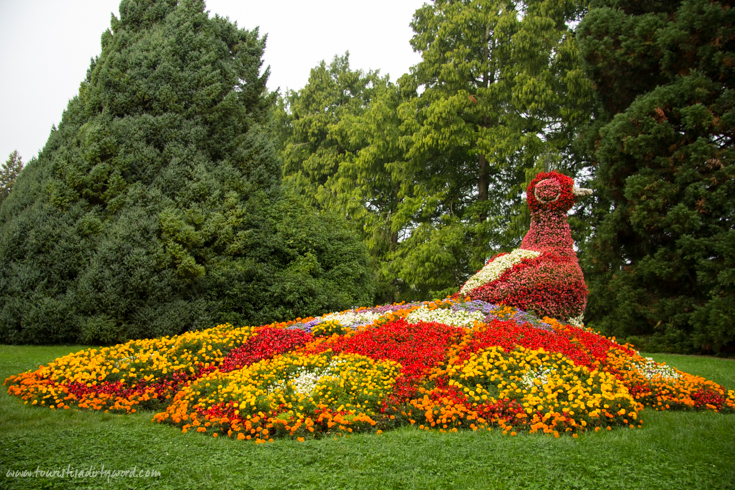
(158, 204)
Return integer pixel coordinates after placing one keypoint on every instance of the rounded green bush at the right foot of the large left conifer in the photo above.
(312, 264)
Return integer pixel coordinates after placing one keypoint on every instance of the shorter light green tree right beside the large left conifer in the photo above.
(339, 146)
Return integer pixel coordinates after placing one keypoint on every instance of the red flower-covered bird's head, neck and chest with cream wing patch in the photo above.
(543, 275)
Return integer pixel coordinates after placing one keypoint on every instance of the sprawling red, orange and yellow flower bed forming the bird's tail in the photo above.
(445, 365)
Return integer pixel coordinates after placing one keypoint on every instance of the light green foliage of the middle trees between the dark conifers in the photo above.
(431, 170)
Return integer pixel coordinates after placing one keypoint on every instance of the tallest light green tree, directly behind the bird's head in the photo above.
(502, 83)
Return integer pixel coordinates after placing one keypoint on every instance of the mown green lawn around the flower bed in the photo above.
(674, 450)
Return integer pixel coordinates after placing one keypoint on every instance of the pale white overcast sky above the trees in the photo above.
(46, 46)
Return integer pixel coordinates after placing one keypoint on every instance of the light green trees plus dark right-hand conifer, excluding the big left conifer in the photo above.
(631, 98)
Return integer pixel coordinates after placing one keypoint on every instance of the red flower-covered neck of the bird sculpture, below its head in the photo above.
(549, 232)
